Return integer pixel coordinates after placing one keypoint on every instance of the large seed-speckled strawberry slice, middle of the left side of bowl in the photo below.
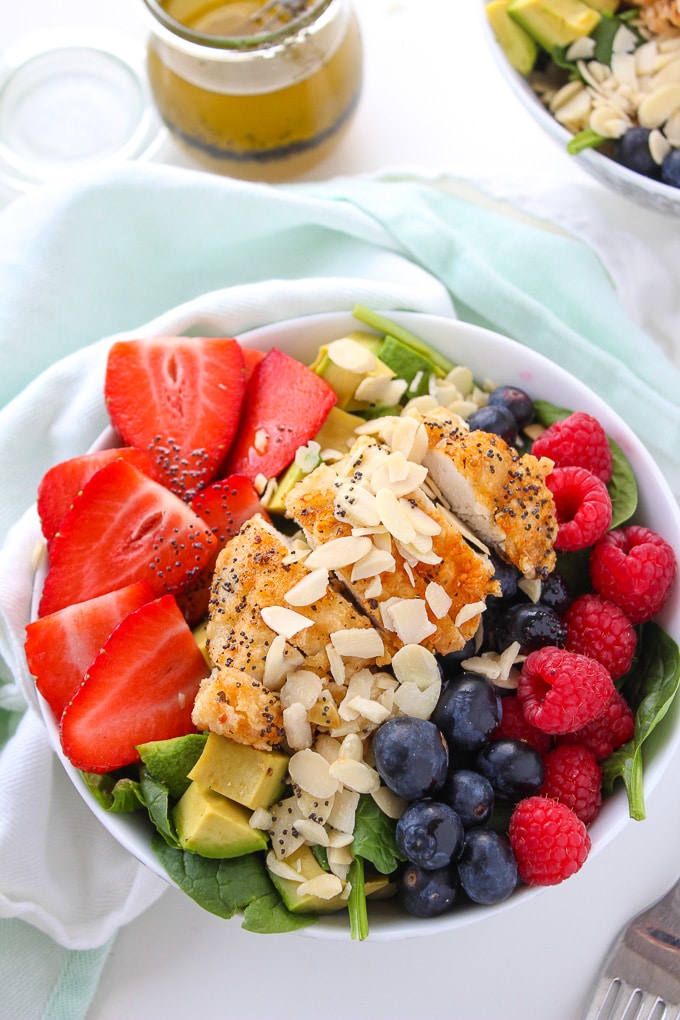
(124, 528)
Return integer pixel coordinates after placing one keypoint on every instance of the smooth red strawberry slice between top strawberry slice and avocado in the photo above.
(286, 405)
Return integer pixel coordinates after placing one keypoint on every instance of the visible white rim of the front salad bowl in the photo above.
(489, 355)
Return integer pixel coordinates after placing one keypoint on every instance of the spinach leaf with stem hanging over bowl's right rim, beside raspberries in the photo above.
(650, 689)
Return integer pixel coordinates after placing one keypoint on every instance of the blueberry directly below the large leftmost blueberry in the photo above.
(430, 834)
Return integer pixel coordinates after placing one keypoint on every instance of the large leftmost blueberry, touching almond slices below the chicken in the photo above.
(411, 757)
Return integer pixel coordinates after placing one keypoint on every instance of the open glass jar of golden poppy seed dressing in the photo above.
(257, 90)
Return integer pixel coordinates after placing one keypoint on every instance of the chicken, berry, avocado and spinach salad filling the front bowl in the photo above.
(362, 629)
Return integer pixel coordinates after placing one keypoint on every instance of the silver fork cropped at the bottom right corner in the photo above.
(641, 977)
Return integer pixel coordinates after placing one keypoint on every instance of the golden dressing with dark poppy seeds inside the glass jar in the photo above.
(258, 135)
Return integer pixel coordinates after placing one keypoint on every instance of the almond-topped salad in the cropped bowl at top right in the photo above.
(608, 71)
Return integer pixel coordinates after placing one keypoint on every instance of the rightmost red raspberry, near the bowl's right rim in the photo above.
(635, 568)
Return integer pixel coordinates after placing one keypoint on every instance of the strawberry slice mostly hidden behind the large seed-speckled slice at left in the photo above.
(63, 483)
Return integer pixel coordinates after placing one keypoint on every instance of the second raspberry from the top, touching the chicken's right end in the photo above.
(583, 505)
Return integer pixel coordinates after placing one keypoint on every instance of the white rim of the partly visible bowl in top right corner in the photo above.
(645, 191)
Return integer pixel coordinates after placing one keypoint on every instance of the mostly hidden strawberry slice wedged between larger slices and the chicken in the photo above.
(224, 506)
